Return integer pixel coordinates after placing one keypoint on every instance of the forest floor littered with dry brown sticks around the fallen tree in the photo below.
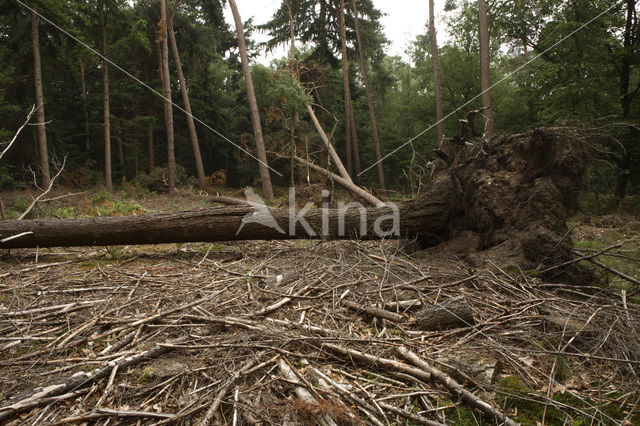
(292, 332)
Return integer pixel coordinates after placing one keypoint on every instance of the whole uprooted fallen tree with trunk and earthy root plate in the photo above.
(513, 192)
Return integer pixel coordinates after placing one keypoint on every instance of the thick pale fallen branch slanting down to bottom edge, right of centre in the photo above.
(455, 388)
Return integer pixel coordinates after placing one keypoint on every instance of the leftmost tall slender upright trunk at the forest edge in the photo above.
(42, 132)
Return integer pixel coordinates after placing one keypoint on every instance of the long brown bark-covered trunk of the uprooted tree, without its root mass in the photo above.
(216, 224)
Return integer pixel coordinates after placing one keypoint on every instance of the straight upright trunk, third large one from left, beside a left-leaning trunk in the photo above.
(168, 108)
